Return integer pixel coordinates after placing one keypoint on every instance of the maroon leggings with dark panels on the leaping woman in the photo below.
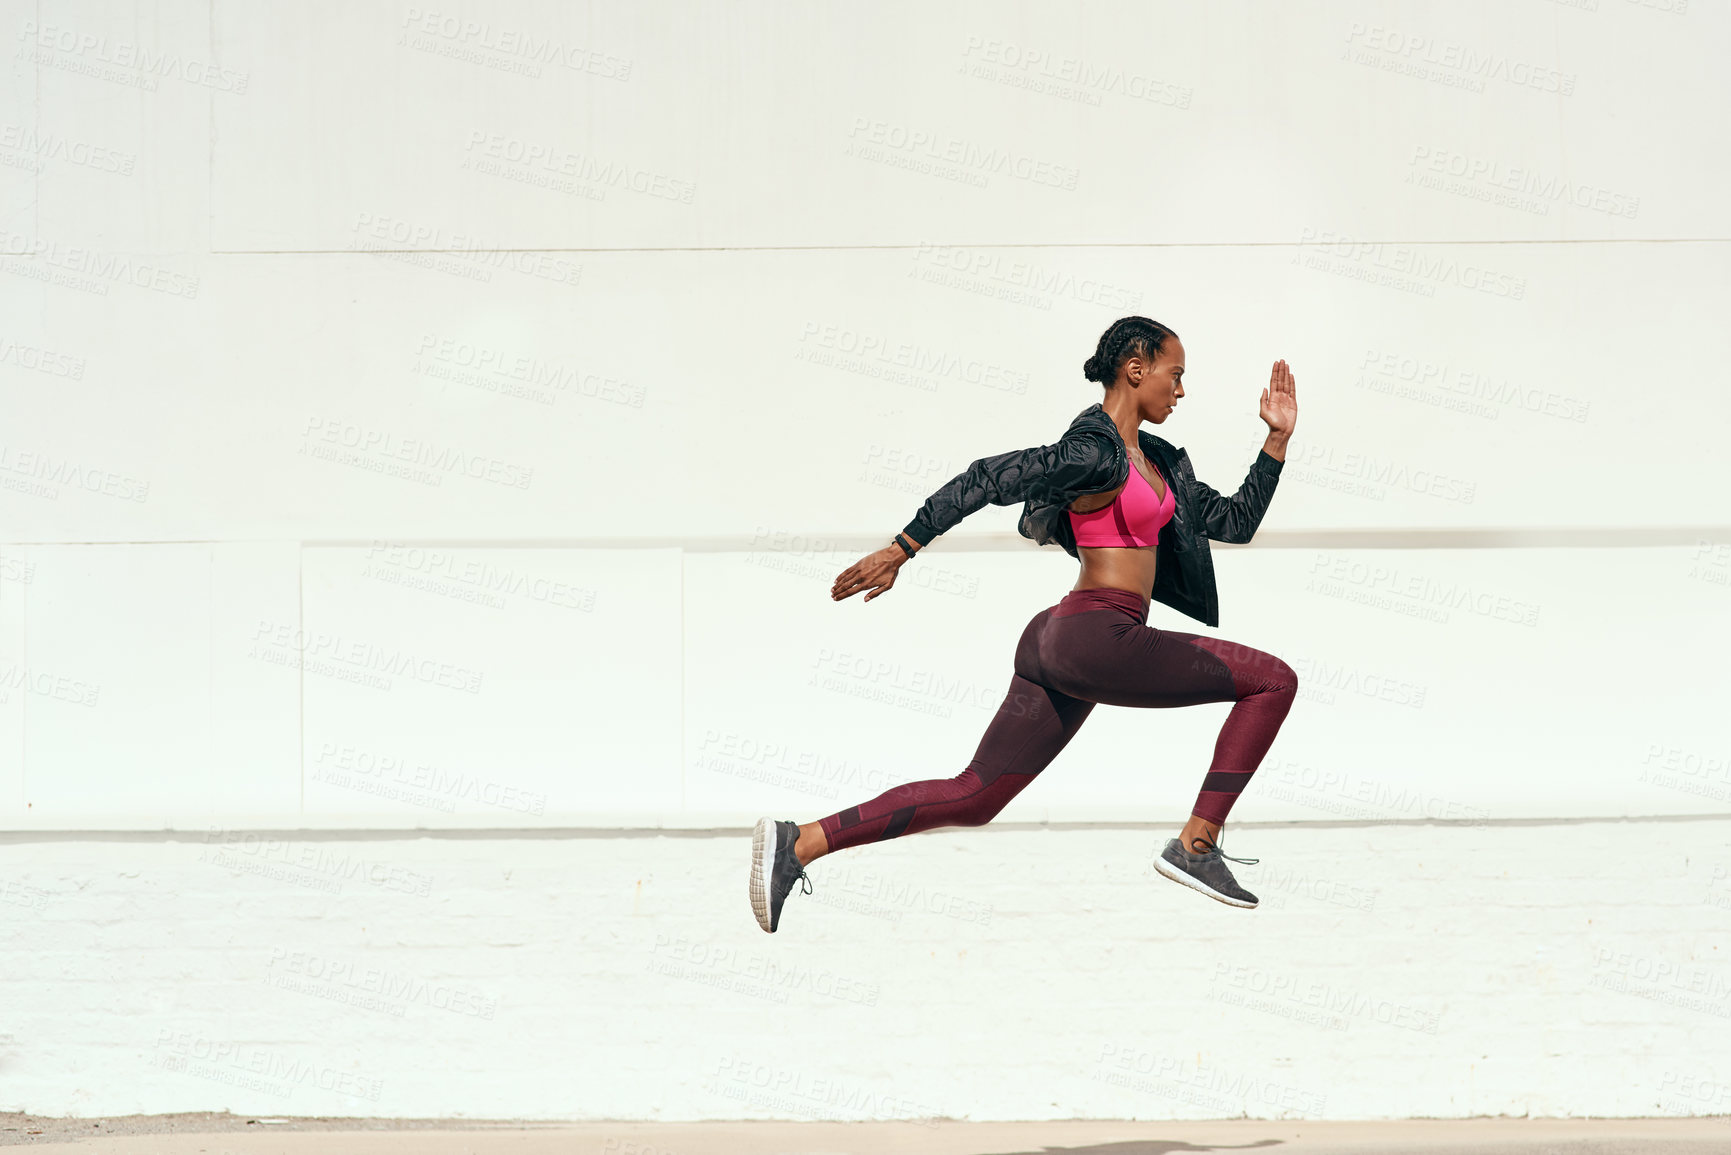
(1095, 647)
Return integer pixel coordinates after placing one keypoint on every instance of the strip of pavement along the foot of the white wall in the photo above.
(241, 1135)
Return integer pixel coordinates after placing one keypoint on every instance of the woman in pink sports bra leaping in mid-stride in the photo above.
(1129, 507)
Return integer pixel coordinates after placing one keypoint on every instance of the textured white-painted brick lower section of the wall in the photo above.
(1574, 969)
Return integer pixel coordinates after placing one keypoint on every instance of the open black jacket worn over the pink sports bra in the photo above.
(1091, 458)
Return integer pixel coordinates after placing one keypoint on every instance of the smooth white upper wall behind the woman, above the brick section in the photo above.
(576, 453)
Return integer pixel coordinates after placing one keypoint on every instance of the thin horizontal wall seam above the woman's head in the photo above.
(975, 245)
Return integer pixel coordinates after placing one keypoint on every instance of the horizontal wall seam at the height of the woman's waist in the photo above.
(1005, 543)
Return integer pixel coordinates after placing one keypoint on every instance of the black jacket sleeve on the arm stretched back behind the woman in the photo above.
(1076, 463)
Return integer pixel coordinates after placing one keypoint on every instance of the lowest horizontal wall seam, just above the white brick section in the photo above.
(496, 834)
